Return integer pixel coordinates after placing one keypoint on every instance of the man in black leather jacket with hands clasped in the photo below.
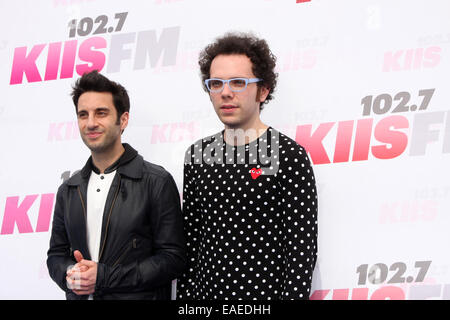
(117, 229)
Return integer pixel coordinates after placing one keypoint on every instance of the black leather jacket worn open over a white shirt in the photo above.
(142, 246)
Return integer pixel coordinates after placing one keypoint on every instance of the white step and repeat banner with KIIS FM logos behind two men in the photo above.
(363, 86)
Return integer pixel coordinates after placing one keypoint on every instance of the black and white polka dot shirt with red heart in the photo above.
(250, 220)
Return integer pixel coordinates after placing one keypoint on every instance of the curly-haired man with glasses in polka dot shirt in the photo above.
(249, 193)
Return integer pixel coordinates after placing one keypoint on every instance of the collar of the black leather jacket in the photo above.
(129, 164)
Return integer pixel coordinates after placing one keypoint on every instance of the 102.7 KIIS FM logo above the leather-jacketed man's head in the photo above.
(59, 60)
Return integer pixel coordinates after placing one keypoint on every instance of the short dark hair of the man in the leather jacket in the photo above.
(94, 81)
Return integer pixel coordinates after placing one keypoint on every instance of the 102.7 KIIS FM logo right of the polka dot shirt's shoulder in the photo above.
(388, 131)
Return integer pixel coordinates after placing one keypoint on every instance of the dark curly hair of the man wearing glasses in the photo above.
(257, 50)
